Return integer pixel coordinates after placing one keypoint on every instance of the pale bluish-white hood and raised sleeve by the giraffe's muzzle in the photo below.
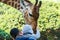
(28, 29)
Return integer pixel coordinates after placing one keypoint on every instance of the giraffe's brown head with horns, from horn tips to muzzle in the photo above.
(31, 15)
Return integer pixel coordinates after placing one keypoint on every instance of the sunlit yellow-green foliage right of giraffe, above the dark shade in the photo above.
(49, 16)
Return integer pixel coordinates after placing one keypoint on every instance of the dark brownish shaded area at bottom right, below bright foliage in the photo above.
(50, 34)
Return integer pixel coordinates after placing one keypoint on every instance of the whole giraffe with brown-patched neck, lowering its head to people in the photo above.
(30, 11)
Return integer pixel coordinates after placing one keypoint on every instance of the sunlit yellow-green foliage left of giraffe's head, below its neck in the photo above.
(9, 17)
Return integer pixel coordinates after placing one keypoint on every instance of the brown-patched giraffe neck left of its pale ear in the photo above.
(13, 3)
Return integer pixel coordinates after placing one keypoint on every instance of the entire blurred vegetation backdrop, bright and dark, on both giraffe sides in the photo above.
(48, 23)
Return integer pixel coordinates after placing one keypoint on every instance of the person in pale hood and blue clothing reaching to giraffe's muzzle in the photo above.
(28, 33)
